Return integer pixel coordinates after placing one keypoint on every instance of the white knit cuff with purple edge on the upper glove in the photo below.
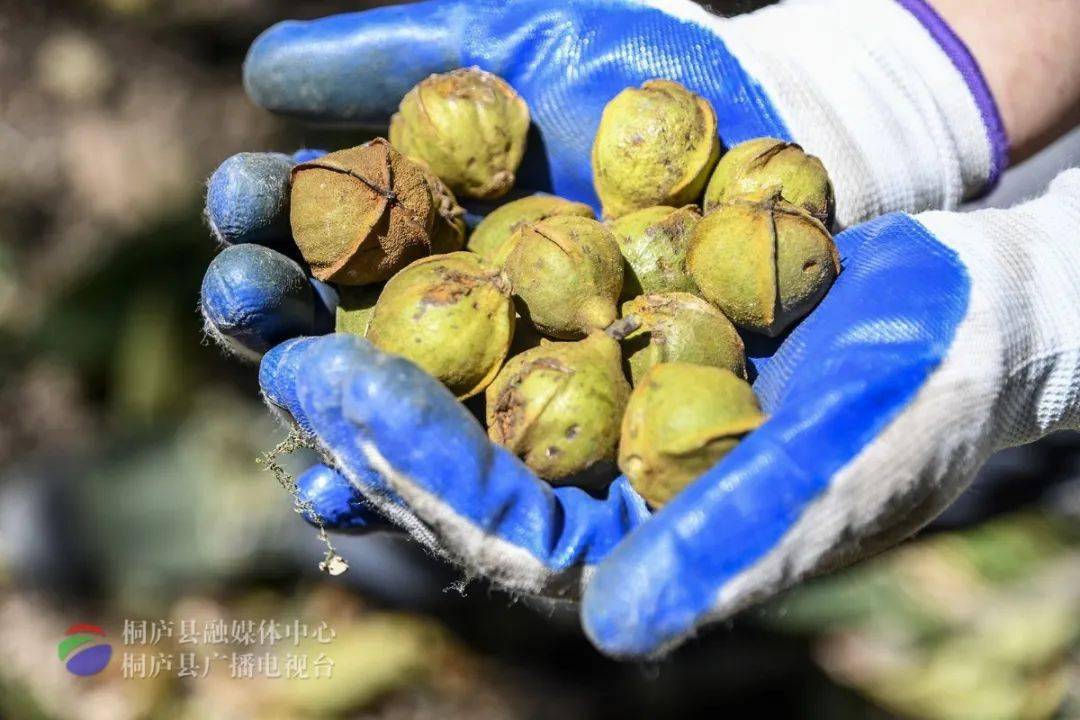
(882, 91)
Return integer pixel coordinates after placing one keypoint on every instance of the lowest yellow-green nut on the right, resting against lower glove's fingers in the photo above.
(681, 420)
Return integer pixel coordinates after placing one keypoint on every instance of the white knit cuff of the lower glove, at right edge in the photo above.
(1020, 370)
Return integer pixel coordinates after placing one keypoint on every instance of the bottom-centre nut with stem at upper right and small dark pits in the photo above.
(559, 407)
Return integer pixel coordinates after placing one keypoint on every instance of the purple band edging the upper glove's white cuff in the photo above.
(964, 61)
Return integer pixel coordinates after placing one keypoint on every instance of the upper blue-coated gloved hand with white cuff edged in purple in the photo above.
(881, 90)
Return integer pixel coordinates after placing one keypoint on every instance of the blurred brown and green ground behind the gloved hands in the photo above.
(129, 488)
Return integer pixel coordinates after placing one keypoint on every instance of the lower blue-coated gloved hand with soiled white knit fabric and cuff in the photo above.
(946, 338)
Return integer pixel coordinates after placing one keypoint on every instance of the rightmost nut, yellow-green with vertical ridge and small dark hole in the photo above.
(764, 263)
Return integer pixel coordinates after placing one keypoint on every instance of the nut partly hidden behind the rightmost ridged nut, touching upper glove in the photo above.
(766, 165)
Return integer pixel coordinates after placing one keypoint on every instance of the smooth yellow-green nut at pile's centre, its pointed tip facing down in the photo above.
(566, 274)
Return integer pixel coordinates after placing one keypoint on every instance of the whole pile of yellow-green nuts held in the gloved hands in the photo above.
(593, 343)
